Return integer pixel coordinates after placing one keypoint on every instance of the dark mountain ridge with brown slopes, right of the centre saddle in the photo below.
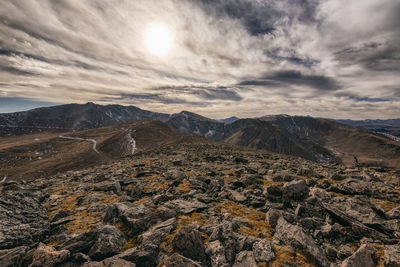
(320, 140)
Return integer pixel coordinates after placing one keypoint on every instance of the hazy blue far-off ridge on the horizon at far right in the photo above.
(391, 126)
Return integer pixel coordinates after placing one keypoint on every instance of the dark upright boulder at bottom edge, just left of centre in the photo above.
(189, 243)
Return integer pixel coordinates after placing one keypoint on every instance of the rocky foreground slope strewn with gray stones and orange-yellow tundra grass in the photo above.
(204, 204)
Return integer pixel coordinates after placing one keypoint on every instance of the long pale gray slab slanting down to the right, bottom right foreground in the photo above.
(294, 236)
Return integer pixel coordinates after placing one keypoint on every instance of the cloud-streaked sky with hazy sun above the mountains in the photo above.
(218, 58)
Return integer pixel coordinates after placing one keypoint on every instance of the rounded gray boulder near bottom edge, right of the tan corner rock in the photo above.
(109, 242)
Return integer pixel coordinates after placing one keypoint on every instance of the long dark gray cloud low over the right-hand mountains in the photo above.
(290, 77)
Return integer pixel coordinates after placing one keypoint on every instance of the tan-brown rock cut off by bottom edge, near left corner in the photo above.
(47, 256)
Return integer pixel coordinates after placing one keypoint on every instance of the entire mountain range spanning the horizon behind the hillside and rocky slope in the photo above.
(317, 139)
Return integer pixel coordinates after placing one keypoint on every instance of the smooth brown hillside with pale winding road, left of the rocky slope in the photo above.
(38, 155)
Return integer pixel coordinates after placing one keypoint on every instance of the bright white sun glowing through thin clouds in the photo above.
(159, 39)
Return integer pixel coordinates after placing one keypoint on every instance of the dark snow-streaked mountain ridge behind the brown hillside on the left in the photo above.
(73, 117)
